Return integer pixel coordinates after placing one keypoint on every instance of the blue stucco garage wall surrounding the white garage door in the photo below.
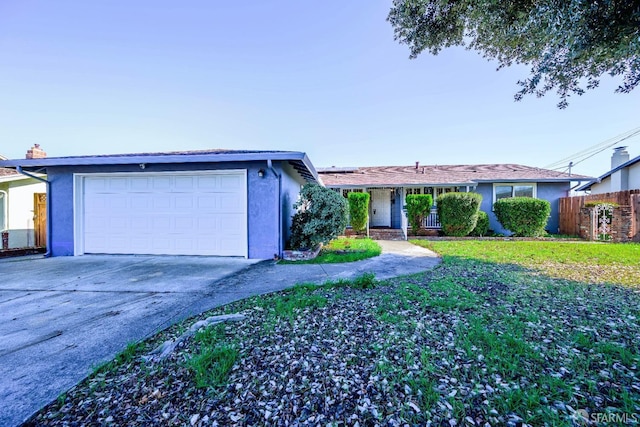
(262, 201)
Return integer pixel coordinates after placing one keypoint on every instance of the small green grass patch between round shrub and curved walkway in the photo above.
(342, 250)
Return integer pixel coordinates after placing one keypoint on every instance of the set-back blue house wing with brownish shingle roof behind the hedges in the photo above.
(389, 186)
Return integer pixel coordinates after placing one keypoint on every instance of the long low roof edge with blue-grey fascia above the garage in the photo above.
(298, 160)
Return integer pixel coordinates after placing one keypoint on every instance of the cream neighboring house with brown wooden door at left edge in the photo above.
(22, 208)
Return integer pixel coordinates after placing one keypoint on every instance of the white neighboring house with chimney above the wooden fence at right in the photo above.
(624, 175)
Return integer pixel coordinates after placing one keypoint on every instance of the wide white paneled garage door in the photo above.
(165, 213)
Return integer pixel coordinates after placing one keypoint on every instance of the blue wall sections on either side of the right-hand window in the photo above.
(550, 191)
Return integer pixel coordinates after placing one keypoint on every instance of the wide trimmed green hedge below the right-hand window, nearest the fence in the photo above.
(523, 216)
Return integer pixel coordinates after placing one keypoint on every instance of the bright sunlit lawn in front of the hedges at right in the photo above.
(589, 262)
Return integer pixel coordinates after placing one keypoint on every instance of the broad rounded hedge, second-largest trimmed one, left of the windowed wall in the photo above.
(458, 213)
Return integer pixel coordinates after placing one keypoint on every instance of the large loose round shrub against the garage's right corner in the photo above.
(321, 217)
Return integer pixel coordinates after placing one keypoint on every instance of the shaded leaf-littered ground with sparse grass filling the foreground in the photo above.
(473, 342)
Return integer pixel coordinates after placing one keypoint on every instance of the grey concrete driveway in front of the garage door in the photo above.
(60, 317)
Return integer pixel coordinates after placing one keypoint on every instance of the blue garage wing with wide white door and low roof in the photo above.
(210, 202)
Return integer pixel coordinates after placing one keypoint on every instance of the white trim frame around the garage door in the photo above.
(78, 199)
